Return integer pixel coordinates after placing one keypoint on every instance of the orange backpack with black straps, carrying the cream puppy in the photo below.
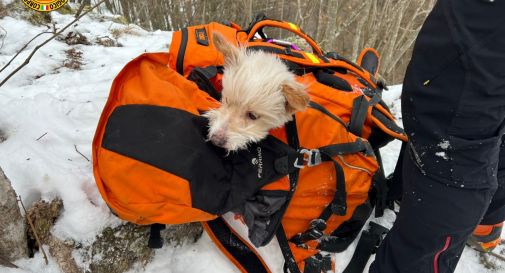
(312, 184)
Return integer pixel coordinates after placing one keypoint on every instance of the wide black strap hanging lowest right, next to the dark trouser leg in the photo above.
(367, 245)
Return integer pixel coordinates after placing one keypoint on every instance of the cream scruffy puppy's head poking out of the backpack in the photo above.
(259, 93)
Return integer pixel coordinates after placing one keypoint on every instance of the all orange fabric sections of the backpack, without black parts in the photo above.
(165, 198)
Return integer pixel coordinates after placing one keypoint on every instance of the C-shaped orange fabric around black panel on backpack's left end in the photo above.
(163, 197)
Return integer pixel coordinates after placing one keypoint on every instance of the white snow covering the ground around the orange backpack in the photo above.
(49, 113)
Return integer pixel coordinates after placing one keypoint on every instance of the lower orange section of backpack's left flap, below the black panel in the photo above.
(160, 192)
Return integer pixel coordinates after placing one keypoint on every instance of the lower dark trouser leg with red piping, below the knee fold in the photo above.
(417, 243)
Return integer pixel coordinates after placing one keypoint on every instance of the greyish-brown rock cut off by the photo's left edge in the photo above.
(13, 243)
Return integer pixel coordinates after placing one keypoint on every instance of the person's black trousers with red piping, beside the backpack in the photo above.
(453, 167)
